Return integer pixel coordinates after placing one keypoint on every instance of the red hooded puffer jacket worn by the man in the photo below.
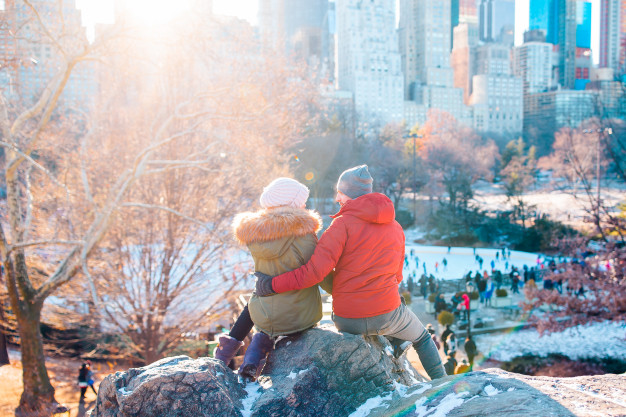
(365, 246)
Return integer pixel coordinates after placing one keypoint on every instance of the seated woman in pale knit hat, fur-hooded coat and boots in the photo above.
(281, 237)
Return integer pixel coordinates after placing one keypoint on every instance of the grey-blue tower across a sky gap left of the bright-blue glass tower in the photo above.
(497, 21)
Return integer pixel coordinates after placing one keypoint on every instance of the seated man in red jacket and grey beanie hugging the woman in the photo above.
(364, 245)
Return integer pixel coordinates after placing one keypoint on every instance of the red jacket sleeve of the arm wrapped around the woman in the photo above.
(324, 259)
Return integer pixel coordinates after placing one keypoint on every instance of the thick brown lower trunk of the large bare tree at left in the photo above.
(38, 392)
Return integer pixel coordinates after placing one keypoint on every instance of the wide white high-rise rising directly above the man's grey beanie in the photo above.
(368, 59)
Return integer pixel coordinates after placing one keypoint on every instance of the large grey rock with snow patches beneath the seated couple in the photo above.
(326, 373)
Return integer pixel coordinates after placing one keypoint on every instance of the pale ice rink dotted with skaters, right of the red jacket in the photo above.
(461, 260)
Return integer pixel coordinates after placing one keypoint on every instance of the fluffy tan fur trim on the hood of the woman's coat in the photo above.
(275, 223)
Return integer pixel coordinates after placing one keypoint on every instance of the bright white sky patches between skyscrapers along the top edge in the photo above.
(101, 11)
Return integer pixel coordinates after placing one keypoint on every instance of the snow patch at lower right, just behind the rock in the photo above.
(599, 340)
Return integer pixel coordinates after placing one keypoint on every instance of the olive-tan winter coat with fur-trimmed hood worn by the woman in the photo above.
(280, 240)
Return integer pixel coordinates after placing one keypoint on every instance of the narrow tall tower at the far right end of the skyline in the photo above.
(613, 35)
